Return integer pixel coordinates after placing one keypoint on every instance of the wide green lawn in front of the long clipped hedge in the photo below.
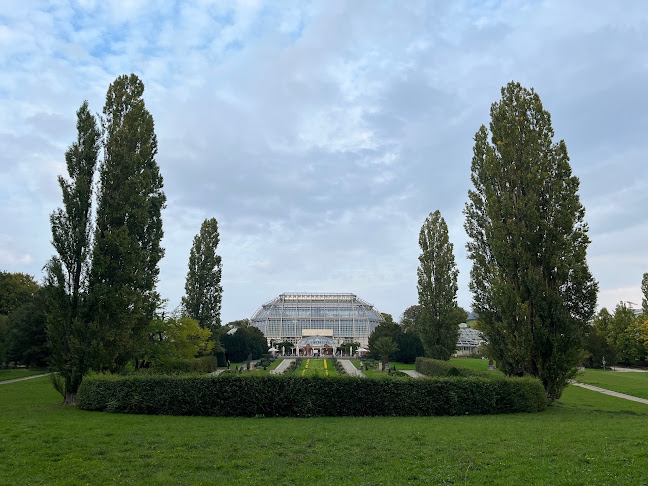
(585, 438)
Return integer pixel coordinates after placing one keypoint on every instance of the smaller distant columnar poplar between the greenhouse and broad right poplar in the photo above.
(437, 289)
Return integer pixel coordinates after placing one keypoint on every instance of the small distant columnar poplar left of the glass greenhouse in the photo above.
(202, 301)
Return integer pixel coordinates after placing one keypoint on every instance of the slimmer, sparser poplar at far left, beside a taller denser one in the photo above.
(66, 279)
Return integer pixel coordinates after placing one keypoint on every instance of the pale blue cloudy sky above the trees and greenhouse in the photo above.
(320, 135)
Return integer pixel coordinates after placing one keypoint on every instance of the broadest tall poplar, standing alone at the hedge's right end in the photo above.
(531, 284)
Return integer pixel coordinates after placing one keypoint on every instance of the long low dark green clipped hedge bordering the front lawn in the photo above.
(291, 396)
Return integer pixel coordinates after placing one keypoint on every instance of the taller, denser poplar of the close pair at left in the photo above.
(129, 225)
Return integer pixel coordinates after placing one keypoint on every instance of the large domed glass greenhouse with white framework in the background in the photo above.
(302, 318)
